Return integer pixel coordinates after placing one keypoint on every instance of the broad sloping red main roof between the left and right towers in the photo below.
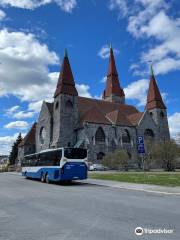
(100, 111)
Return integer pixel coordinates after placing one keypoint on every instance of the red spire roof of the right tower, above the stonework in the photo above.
(154, 99)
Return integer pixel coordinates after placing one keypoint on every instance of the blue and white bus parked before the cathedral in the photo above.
(61, 164)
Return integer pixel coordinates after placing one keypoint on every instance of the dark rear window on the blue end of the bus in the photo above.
(75, 153)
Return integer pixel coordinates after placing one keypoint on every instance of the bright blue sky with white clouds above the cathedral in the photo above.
(35, 33)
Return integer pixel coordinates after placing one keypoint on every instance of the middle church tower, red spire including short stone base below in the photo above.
(113, 91)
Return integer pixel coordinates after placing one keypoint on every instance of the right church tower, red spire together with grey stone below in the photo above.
(156, 108)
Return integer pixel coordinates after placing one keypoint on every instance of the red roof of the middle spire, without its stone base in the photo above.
(112, 83)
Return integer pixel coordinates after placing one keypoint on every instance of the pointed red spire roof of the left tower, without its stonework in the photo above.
(66, 84)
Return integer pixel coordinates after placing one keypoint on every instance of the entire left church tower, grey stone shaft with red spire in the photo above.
(65, 112)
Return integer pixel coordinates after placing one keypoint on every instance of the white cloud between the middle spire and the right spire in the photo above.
(137, 90)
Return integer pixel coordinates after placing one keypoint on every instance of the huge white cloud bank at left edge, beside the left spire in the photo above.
(25, 73)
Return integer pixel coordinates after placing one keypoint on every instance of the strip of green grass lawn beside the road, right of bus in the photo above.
(157, 178)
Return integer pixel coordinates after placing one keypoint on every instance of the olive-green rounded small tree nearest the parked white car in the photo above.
(116, 160)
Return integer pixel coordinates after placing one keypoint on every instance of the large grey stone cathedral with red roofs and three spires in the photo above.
(101, 126)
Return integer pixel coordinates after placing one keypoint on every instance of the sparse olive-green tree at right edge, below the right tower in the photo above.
(166, 154)
